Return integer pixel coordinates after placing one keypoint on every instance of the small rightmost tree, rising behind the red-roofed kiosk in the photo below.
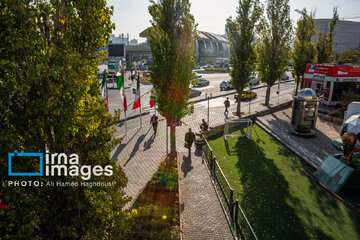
(325, 42)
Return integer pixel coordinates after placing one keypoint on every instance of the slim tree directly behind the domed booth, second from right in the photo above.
(304, 51)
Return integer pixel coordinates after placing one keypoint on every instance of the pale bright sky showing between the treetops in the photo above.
(132, 16)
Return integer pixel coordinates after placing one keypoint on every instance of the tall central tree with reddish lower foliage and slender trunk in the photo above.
(171, 40)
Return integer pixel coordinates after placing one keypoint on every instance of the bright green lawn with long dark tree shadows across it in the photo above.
(278, 200)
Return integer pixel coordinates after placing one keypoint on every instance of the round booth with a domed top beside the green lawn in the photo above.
(305, 109)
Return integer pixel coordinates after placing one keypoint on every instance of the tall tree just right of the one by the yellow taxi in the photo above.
(273, 46)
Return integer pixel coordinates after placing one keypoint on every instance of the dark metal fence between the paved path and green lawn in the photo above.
(238, 219)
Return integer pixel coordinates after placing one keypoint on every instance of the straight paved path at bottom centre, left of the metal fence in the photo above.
(202, 215)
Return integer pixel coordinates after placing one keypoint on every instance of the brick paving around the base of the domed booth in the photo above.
(315, 148)
